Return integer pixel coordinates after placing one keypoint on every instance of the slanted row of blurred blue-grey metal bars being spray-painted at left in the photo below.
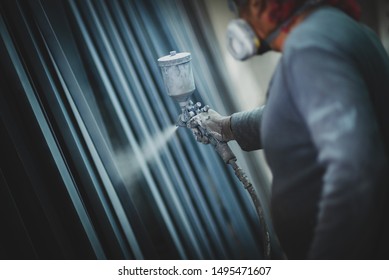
(88, 71)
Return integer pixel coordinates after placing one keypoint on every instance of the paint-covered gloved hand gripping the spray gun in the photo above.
(214, 124)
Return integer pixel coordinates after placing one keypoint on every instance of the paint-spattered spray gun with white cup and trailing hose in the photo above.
(177, 75)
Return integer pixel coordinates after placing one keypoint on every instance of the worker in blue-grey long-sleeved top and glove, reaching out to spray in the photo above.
(324, 128)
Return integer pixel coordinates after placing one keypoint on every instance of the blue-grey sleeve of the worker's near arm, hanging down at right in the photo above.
(333, 101)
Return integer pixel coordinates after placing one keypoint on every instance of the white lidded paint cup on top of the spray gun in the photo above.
(177, 75)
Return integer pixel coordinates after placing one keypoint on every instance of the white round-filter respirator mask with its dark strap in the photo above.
(243, 43)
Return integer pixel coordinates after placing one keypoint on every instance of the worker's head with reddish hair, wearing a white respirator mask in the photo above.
(261, 21)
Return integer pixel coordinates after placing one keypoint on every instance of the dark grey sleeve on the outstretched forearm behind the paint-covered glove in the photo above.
(246, 127)
